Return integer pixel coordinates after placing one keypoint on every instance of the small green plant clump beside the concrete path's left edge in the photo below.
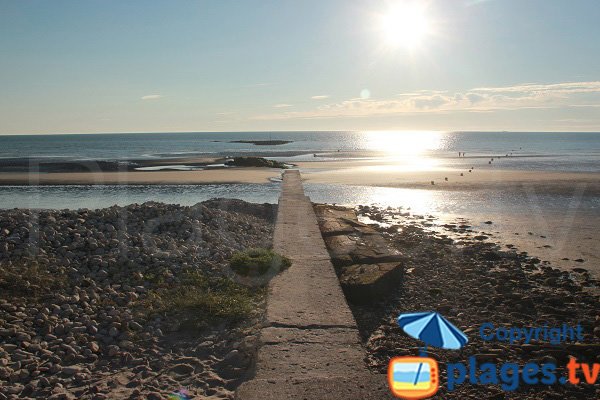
(256, 262)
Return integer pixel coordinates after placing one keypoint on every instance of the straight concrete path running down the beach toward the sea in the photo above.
(310, 348)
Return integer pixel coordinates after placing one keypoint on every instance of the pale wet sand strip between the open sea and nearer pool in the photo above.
(350, 172)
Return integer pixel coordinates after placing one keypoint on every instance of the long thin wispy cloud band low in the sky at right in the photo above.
(481, 99)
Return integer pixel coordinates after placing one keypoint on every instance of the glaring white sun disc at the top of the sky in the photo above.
(405, 25)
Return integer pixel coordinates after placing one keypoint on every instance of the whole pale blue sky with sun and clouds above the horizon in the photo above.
(223, 65)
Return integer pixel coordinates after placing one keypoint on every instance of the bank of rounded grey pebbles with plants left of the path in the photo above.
(127, 302)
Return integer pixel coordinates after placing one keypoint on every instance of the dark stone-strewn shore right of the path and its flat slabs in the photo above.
(461, 273)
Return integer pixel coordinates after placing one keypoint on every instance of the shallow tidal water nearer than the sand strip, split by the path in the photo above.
(420, 201)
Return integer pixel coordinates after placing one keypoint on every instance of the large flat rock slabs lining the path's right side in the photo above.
(367, 266)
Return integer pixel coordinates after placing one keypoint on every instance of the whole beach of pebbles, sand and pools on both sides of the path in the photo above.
(470, 224)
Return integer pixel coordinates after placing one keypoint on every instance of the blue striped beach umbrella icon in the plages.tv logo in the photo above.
(433, 329)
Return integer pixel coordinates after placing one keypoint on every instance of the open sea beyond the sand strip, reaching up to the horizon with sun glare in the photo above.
(571, 151)
